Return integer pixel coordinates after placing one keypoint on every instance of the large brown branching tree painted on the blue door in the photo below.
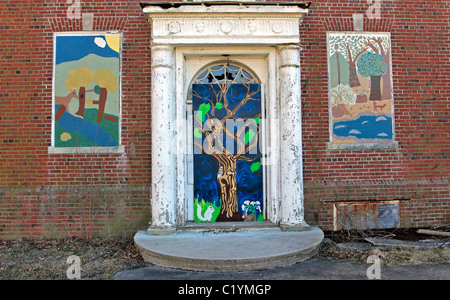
(226, 127)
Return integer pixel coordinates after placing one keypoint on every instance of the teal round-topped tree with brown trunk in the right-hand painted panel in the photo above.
(371, 65)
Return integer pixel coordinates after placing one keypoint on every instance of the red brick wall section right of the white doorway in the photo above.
(418, 171)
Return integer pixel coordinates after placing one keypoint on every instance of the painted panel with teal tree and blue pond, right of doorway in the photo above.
(360, 87)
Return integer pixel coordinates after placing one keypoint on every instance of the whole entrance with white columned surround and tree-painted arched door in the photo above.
(218, 72)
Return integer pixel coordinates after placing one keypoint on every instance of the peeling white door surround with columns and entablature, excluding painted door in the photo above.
(264, 38)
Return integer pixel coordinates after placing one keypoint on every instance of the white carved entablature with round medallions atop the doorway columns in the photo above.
(210, 23)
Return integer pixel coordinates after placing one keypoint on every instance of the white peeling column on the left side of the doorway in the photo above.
(164, 199)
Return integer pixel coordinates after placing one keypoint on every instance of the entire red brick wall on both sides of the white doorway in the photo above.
(58, 195)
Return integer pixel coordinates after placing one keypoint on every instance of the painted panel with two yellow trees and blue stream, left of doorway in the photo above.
(86, 90)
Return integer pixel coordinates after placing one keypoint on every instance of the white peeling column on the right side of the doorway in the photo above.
(291, 164)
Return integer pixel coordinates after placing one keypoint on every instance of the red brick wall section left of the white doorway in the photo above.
(79, 194)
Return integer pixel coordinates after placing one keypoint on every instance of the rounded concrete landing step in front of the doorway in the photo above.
(241, 250)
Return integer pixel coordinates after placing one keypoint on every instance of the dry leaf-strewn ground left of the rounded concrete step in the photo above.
(100, 258)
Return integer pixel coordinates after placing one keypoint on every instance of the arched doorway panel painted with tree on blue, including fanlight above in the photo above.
(228, 176)
